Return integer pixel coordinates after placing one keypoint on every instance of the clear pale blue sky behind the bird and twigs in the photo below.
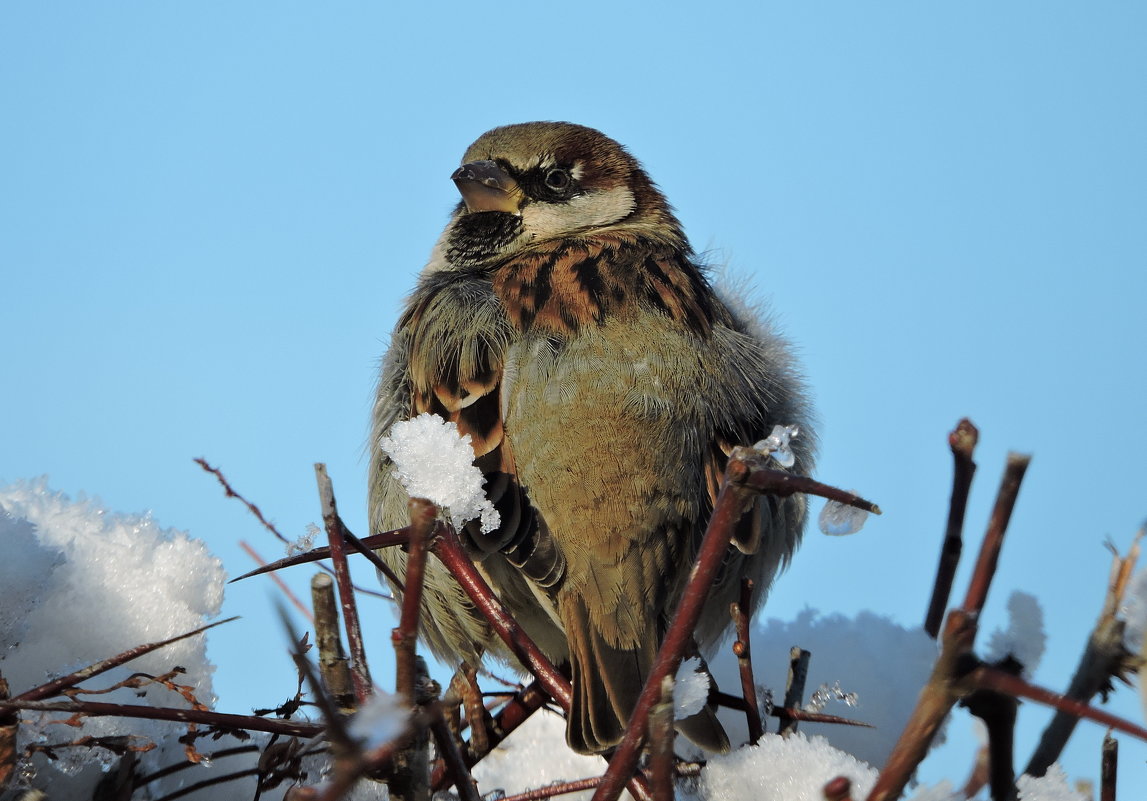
(210, 213)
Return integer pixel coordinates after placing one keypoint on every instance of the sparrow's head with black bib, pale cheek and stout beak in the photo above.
(537, 182)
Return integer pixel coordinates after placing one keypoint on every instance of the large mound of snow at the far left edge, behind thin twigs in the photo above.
(81, 585)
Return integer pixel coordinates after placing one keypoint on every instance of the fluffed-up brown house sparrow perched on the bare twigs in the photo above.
(565, 324)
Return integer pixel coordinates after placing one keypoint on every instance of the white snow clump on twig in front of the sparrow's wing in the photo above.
(433, 462)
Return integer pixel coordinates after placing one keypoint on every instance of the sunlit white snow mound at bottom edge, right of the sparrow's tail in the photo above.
(783, 769)
